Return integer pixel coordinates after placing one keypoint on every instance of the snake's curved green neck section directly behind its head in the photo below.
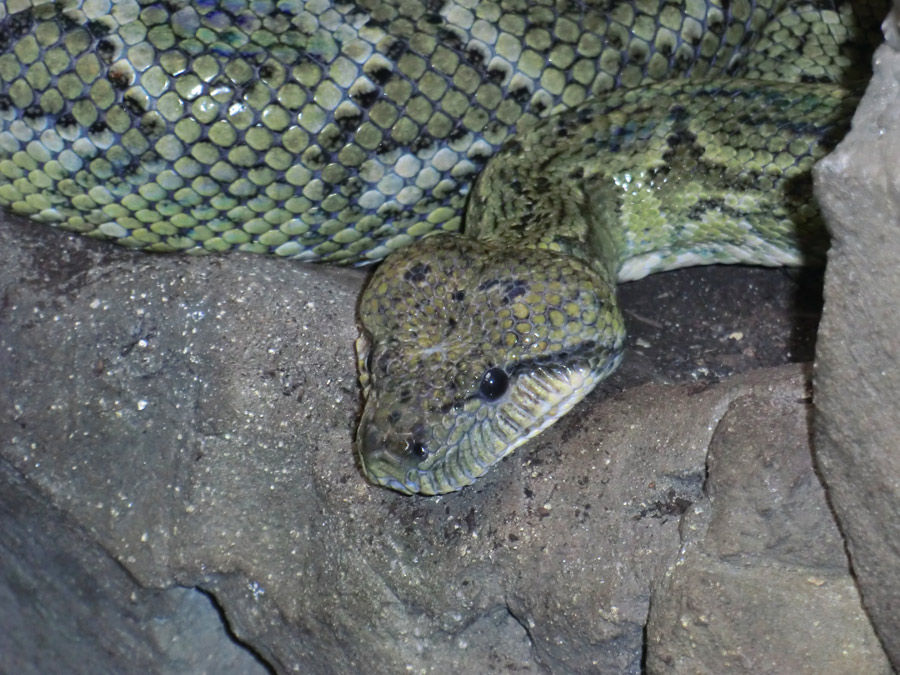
(669, 176)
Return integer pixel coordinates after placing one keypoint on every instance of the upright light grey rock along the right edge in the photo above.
(857, 419)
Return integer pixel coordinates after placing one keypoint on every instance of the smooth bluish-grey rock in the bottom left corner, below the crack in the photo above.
(68, 607)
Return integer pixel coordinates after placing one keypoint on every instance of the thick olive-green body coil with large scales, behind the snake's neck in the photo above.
(322, 131)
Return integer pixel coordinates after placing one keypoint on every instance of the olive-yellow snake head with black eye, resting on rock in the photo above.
(468, 350)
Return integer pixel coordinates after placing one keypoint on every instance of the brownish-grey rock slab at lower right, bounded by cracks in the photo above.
(761, 584)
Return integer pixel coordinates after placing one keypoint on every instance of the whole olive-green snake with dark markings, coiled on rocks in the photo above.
(510, 161)
